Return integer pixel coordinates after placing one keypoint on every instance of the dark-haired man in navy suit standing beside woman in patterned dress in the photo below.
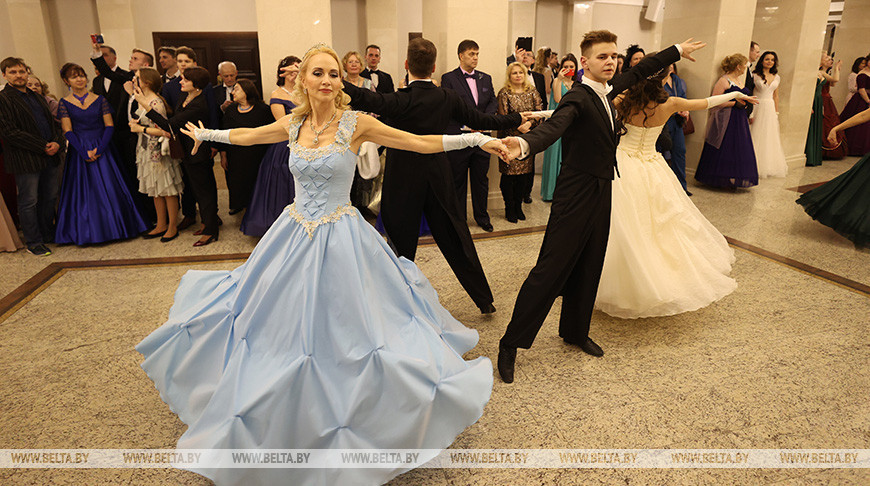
(476, 89)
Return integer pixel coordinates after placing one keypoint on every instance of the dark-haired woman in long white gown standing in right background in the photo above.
(765, 119)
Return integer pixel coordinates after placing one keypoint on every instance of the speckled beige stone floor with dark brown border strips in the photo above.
(782, 362)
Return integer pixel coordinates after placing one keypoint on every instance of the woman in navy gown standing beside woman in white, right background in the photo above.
(728, 158)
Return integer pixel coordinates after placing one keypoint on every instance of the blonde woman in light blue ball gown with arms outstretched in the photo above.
(323, 339)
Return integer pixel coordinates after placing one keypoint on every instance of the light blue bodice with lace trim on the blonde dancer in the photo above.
(323, 176)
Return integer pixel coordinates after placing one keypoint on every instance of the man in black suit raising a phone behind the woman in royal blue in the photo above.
(124, 111)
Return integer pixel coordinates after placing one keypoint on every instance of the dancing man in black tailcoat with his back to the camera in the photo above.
(416, 184)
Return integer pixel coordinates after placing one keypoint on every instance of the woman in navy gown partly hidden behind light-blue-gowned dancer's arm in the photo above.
(274, 189)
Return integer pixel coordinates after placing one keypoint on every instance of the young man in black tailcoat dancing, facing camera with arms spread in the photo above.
(572, 253)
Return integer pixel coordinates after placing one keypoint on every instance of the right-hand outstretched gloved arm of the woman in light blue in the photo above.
(368, 129)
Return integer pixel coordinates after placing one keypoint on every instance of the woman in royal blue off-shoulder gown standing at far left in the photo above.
(94, 205)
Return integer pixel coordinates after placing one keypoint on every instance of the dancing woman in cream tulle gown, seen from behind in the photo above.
(663, 257)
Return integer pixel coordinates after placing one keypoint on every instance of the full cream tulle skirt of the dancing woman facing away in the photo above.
(663, 257)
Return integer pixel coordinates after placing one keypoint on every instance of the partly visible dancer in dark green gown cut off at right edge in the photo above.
(843, 204)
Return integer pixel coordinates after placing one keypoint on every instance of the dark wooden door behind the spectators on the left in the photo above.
(212, 48)
